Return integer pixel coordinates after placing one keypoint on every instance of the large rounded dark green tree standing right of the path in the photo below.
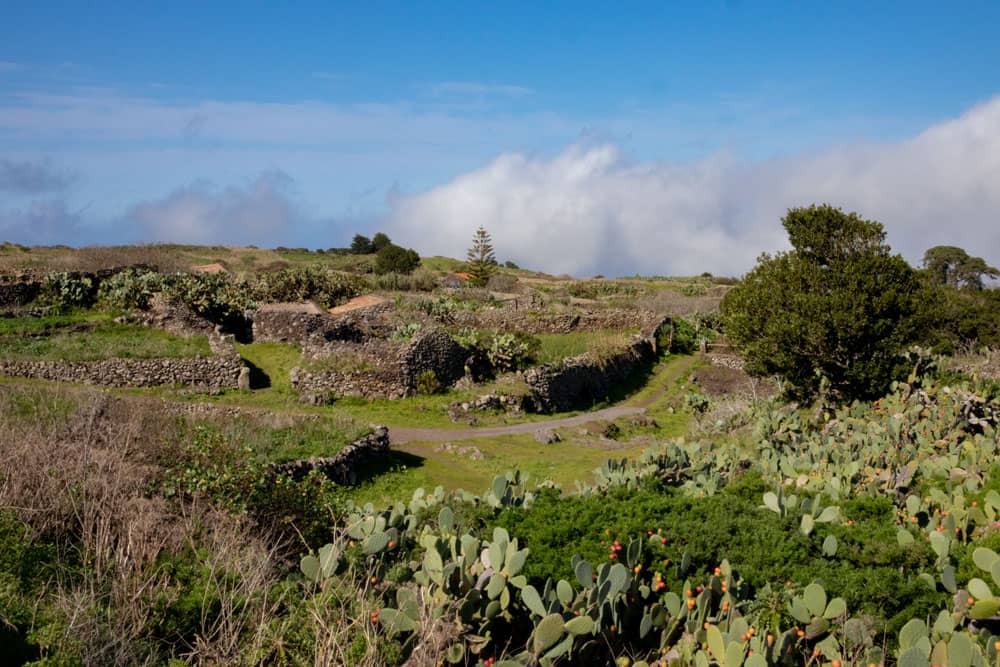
(834, 312)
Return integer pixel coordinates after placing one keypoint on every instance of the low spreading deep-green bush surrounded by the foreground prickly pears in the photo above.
(871, 571)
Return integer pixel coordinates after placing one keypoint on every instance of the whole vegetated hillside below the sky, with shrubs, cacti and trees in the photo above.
(804, 470)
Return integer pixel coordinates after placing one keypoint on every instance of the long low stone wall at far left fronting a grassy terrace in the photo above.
(224, 370)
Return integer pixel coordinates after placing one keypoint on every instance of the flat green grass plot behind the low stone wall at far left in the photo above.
(105, 340)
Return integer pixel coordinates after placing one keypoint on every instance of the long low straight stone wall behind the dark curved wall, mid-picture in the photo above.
(533, 322)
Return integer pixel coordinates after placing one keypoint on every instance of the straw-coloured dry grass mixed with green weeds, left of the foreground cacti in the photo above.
(77, 467)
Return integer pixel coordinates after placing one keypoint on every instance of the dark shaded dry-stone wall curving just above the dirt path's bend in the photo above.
(579, 382)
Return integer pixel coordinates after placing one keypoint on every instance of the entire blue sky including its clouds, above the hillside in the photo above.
(301, 123)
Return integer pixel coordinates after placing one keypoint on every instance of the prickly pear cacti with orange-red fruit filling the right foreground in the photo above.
(930, 449)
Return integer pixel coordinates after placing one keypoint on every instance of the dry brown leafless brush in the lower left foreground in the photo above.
(80, 478)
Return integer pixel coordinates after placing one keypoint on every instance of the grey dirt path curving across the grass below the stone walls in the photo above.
(665, 379)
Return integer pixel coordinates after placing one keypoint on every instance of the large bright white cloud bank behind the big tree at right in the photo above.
(591, 210)
